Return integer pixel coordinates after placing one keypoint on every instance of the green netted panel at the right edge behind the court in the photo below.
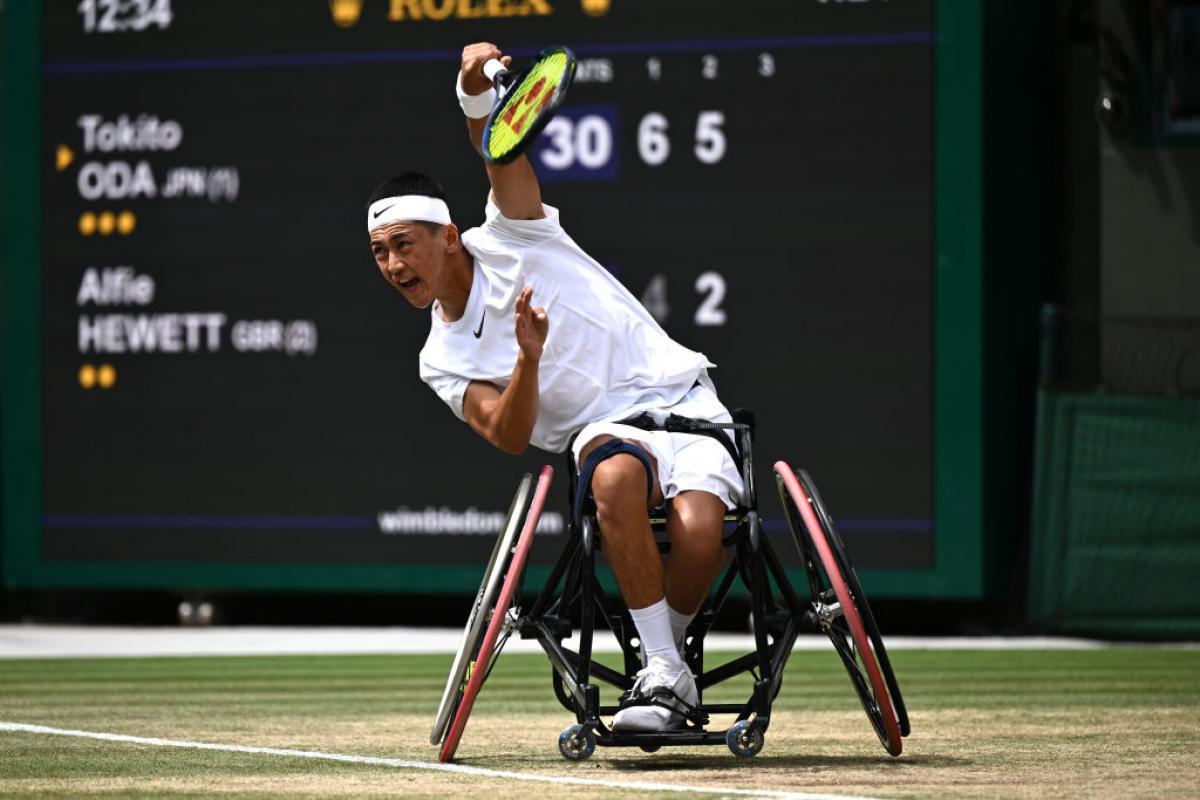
(1115, 546)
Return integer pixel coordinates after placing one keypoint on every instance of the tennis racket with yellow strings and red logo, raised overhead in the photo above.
(527, 100)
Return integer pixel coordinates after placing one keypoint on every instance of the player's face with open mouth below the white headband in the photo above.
(412, 258)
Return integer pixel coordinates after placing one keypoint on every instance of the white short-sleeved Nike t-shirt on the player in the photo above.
(605, 357)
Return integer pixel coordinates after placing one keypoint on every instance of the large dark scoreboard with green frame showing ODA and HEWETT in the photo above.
(227, 393)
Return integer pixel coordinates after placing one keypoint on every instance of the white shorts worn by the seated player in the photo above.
(686, 462)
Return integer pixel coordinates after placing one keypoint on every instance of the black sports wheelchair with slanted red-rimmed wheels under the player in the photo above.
(573, 598)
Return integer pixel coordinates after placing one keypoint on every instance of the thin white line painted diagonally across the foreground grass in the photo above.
(400, 763)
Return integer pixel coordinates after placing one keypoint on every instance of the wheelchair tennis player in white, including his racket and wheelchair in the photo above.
(607, 360)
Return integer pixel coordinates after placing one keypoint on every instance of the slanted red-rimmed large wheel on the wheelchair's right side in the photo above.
(841, 607)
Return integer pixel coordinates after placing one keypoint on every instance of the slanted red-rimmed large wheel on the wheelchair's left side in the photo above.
(501, 618)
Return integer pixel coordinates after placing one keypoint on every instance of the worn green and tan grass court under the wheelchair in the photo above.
(999, 724)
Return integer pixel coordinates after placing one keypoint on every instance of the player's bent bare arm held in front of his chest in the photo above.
(507, 419)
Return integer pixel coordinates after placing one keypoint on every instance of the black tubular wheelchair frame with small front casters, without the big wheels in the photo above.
(779, 618)
